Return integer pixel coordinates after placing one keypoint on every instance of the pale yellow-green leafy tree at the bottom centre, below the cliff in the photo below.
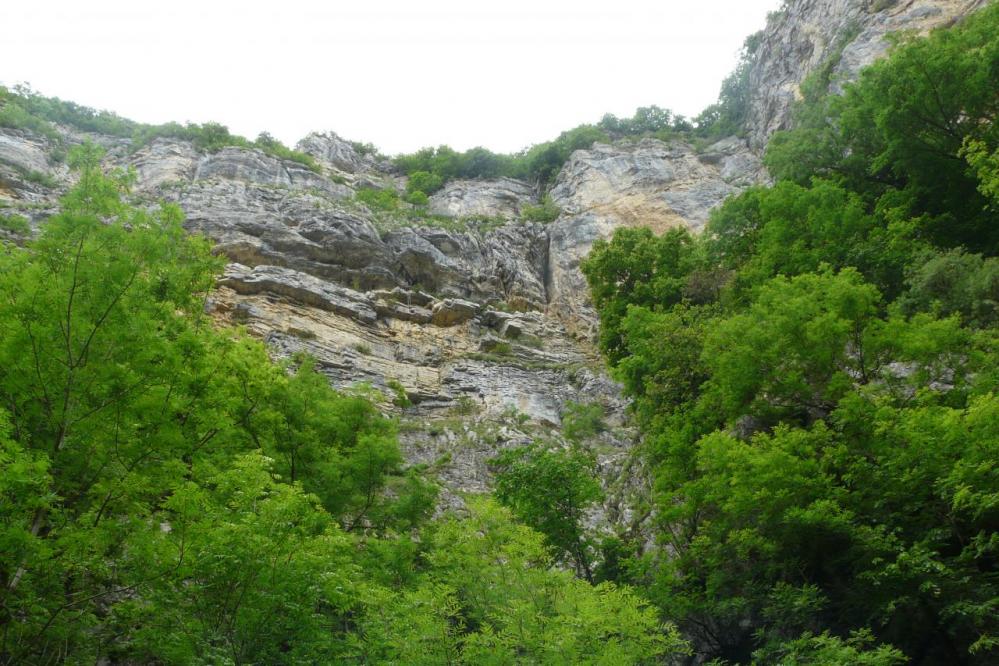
(523, 611)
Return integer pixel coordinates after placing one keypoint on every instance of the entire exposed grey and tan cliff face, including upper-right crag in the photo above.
(483, 323)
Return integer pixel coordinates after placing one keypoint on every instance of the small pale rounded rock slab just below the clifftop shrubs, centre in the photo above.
(503, 197)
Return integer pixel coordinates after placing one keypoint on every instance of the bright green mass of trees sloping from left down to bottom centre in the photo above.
(169, 495)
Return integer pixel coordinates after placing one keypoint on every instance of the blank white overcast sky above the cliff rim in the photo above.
(400, 74)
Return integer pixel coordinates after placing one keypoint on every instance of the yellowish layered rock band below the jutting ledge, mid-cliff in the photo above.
(458, 351)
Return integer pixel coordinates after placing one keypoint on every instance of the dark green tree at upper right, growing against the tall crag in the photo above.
(900, 134)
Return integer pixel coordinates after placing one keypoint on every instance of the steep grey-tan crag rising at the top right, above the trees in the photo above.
(849, 34)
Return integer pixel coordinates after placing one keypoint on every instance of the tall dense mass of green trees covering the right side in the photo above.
(816, 378)
